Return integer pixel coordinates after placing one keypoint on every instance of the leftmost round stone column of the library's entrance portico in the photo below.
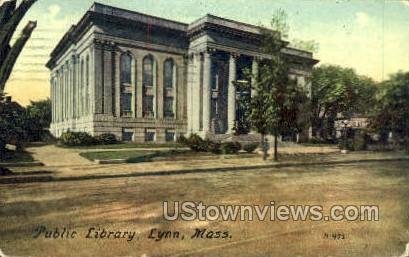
(206, 91)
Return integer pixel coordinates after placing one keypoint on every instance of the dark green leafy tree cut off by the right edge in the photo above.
(392, 109)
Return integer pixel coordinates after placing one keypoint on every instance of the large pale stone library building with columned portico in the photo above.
(145, 78)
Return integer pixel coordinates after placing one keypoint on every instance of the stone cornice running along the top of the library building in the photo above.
(100, 14)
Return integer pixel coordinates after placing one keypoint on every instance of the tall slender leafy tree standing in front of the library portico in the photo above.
(275, 105)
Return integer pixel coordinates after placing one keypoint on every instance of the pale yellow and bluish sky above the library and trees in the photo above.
(371, 36)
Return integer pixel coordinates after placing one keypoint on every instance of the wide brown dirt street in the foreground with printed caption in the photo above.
(136, 204)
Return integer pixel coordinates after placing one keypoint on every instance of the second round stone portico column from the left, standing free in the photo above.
(231, 97)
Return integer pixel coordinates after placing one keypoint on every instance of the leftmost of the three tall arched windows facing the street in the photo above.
(126, 83)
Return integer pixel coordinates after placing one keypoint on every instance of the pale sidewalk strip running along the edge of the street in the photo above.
(94, 171)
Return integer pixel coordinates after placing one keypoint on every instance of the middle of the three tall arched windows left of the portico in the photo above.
(149, 85)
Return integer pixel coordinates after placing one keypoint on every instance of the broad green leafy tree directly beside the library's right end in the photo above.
(337, 90)
